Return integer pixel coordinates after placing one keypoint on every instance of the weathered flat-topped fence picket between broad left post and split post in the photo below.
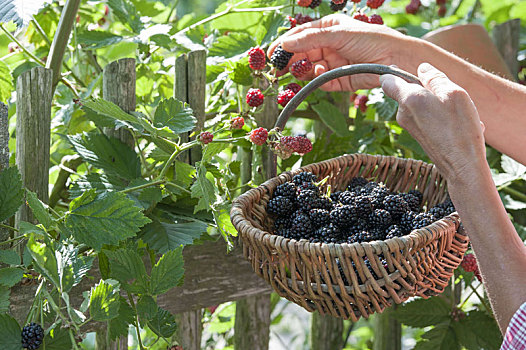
(118, 86)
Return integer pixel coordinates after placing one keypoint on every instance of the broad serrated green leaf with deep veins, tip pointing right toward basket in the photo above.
(107, 218)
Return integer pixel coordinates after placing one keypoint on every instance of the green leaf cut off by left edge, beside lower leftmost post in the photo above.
(11, 192)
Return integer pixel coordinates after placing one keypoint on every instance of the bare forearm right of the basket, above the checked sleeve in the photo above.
(500, 253)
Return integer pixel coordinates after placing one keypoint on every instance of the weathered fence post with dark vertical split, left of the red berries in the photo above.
(190, 87)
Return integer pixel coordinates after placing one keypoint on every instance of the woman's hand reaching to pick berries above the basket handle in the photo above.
(338, 40)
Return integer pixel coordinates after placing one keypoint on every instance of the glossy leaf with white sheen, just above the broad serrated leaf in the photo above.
(107, 153)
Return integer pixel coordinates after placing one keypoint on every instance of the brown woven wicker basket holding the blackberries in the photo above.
(309, 274)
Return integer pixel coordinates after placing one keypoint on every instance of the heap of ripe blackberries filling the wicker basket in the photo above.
(366, 211)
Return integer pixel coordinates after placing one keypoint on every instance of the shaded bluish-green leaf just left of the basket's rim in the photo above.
(163, 237)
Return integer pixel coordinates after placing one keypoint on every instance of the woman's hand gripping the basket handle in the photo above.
(442, 118)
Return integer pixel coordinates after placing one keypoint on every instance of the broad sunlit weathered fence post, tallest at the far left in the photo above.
(33, 134)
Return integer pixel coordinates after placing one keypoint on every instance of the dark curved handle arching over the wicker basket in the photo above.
(364, 68)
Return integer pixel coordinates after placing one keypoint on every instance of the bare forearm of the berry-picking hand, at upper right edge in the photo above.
(501, 104)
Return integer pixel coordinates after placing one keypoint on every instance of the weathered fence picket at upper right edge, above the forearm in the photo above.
(506, 38)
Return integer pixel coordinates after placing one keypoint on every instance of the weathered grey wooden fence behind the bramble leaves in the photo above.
(231, 278)
